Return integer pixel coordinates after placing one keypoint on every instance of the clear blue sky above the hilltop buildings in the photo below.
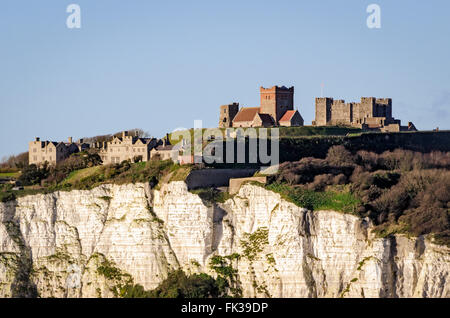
(159, 65)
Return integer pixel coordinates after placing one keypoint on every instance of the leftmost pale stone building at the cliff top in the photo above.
(52, 152)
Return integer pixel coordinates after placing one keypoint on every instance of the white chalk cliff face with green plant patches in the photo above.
(86, 243)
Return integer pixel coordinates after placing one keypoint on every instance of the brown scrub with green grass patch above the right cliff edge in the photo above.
(401, 191)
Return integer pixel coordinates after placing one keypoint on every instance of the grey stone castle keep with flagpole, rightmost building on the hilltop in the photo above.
(371, 114)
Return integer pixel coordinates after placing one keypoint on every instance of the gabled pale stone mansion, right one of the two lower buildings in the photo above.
(126, 148)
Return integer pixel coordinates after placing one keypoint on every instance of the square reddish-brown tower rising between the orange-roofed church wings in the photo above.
(275, 101)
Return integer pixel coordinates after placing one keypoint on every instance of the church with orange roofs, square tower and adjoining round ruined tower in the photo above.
(276, 109)
